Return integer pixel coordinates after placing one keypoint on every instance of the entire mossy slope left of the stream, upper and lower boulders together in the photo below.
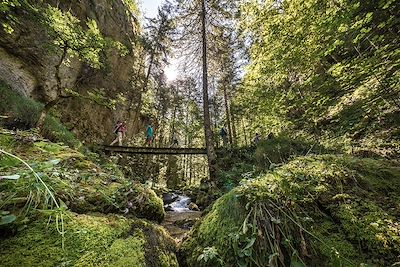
(63, 209)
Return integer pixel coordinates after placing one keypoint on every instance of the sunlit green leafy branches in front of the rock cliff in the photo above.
(64, 29)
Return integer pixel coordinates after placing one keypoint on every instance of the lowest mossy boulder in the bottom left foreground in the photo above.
(89, 240)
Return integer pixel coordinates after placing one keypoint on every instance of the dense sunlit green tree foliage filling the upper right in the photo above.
(323, 69)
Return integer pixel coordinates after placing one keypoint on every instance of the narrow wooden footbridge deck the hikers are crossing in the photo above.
(155, 150)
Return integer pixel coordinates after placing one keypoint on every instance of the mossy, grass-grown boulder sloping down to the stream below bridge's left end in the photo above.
(84, 185)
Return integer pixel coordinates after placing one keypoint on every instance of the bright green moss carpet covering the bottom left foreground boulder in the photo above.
(40, 244)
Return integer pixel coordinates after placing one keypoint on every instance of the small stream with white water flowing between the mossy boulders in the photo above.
(179, 218)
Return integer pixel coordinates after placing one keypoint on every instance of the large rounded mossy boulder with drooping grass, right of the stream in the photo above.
(316, 211)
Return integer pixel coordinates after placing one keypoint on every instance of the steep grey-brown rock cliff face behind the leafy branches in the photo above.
(30, 67)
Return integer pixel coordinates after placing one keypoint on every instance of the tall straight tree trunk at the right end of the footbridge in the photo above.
(212, 163)
